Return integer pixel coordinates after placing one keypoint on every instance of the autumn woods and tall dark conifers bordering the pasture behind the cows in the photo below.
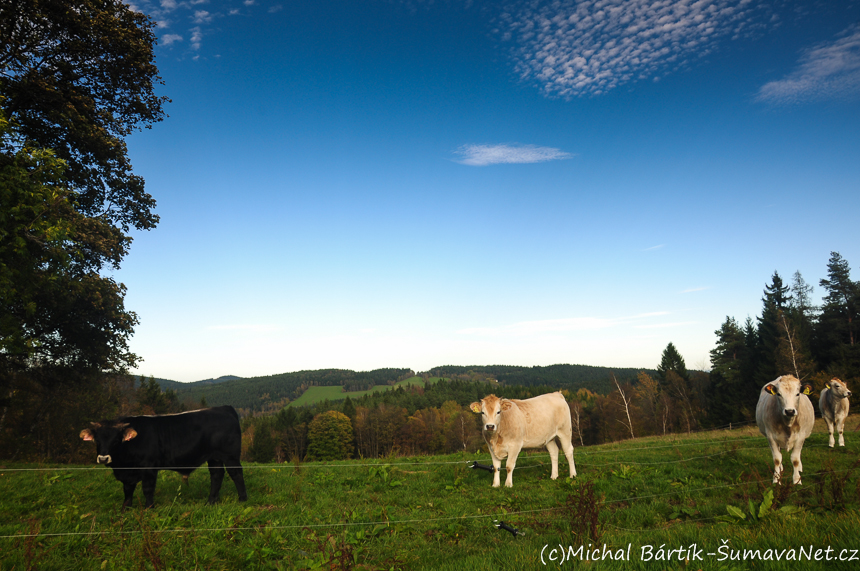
(791, 336)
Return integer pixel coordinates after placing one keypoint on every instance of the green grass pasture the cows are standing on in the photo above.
(711, 489)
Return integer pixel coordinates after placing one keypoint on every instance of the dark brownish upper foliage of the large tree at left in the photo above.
(77, 76)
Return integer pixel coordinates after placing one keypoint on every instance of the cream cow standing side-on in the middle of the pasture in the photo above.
(509, 425)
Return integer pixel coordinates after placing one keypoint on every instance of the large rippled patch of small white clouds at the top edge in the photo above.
(588, 47)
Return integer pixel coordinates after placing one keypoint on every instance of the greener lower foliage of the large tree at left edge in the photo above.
(56, 308)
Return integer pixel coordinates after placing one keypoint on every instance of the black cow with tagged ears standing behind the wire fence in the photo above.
(137, 447)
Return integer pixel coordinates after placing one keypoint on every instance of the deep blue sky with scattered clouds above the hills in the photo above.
(377, 183)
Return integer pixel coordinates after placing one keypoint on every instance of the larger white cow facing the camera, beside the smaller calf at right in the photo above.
(785, 416)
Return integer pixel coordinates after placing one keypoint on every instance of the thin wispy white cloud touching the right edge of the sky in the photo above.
(827, 71)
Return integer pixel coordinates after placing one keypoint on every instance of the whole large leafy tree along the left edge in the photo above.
(76, 77)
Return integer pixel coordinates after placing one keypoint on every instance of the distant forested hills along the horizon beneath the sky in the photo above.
(273, 392)
